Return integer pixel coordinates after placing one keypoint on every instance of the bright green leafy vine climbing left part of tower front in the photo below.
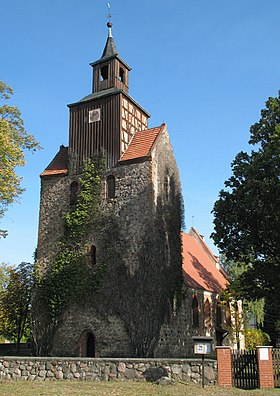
(68, 275)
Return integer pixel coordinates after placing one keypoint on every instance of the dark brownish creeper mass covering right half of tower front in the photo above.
(152, 287)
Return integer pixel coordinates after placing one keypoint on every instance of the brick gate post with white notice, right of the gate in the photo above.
(265, 363)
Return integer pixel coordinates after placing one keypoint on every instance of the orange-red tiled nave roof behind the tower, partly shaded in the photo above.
(199, 265)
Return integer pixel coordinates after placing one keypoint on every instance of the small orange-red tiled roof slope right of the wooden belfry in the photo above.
(142, 143)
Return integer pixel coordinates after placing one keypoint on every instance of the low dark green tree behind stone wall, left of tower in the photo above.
(15, 302)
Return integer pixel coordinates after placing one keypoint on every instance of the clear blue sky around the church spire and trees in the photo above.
(204, 67)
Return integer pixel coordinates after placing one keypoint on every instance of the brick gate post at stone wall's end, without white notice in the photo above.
(224, 366)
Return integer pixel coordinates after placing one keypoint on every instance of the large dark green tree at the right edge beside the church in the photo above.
(247, 214)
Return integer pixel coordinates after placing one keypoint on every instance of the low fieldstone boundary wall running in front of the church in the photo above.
(35, 368)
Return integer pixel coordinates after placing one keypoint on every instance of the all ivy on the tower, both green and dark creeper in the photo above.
(144, 284)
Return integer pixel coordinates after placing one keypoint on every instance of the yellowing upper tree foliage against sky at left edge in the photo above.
(14, 141)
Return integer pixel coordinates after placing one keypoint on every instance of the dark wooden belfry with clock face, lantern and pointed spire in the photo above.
(106, 120)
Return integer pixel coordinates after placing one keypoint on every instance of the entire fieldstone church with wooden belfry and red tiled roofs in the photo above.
(151, 287)
